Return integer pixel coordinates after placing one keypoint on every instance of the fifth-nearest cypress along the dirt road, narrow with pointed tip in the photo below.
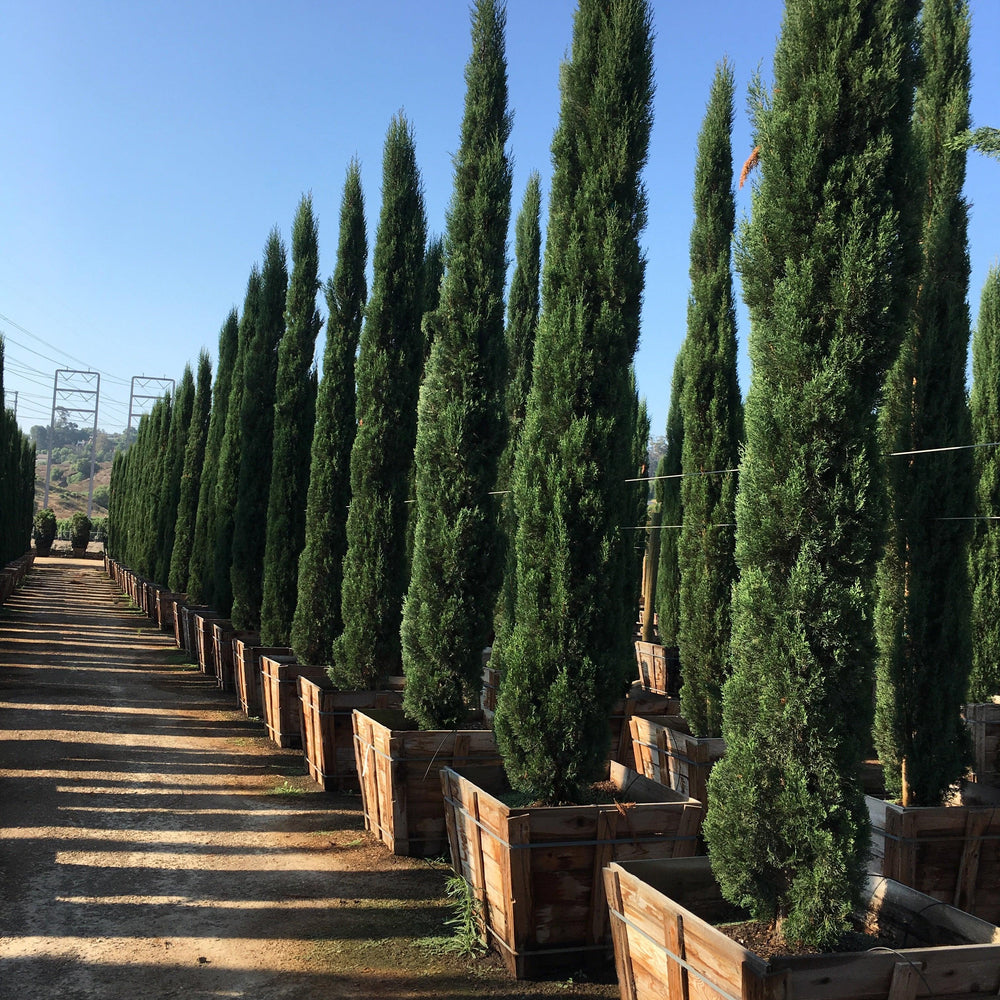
(317, 620)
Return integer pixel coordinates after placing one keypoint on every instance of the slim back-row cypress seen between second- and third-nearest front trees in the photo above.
(523, 307)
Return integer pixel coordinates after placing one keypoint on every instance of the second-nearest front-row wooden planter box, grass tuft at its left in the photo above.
(537, 870)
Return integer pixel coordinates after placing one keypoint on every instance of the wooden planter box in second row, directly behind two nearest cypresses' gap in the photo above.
(666, 752)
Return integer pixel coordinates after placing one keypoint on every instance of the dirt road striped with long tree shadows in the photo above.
(154, 844)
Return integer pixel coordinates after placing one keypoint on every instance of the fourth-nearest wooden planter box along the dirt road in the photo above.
(328, 728)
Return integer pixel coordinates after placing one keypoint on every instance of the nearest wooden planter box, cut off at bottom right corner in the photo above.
(667, 947)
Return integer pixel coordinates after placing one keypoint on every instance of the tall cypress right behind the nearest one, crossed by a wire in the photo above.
(924, 599)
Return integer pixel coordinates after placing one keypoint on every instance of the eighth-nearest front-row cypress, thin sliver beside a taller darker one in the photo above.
(228, 483)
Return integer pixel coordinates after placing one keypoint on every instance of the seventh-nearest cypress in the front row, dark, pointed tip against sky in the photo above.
(260, 372)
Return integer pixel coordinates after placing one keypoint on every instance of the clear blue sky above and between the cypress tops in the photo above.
(149, 147)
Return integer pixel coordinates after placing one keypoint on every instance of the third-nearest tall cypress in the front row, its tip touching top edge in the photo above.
(461, 426)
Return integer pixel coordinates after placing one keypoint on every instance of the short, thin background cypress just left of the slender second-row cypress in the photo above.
(668, 493)
